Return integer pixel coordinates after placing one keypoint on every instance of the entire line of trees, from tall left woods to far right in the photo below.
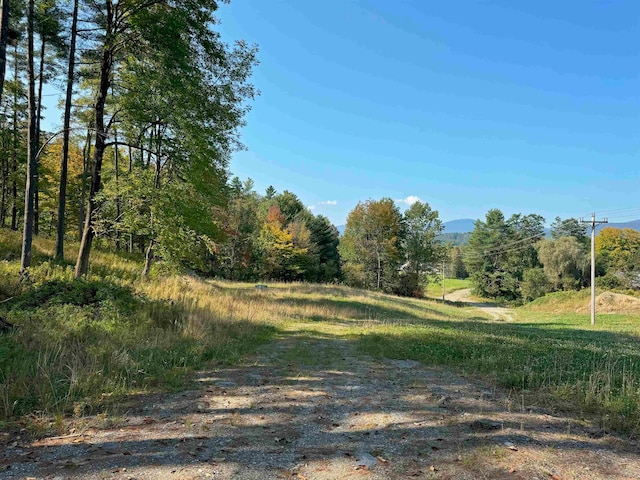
(154, 103)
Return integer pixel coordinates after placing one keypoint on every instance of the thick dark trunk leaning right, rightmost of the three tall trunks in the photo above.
(106, 63)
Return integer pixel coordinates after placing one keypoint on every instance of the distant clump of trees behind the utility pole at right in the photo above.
(511, 258)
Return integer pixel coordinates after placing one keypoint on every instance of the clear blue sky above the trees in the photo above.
(529, 107)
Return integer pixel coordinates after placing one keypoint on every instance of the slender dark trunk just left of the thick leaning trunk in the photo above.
(62, 193)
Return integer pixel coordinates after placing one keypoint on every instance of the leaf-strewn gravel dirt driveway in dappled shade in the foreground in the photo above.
(311, 406)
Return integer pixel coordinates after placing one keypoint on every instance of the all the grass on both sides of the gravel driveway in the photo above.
(84, 346)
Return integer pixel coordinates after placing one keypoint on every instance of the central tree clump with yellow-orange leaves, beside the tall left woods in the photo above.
(262, 242)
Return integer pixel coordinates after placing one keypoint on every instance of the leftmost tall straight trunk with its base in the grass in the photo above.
(32, 145)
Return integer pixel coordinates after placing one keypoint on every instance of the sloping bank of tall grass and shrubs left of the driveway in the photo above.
(81, 346)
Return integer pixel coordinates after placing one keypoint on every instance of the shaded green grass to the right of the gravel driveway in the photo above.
(558, 361)
